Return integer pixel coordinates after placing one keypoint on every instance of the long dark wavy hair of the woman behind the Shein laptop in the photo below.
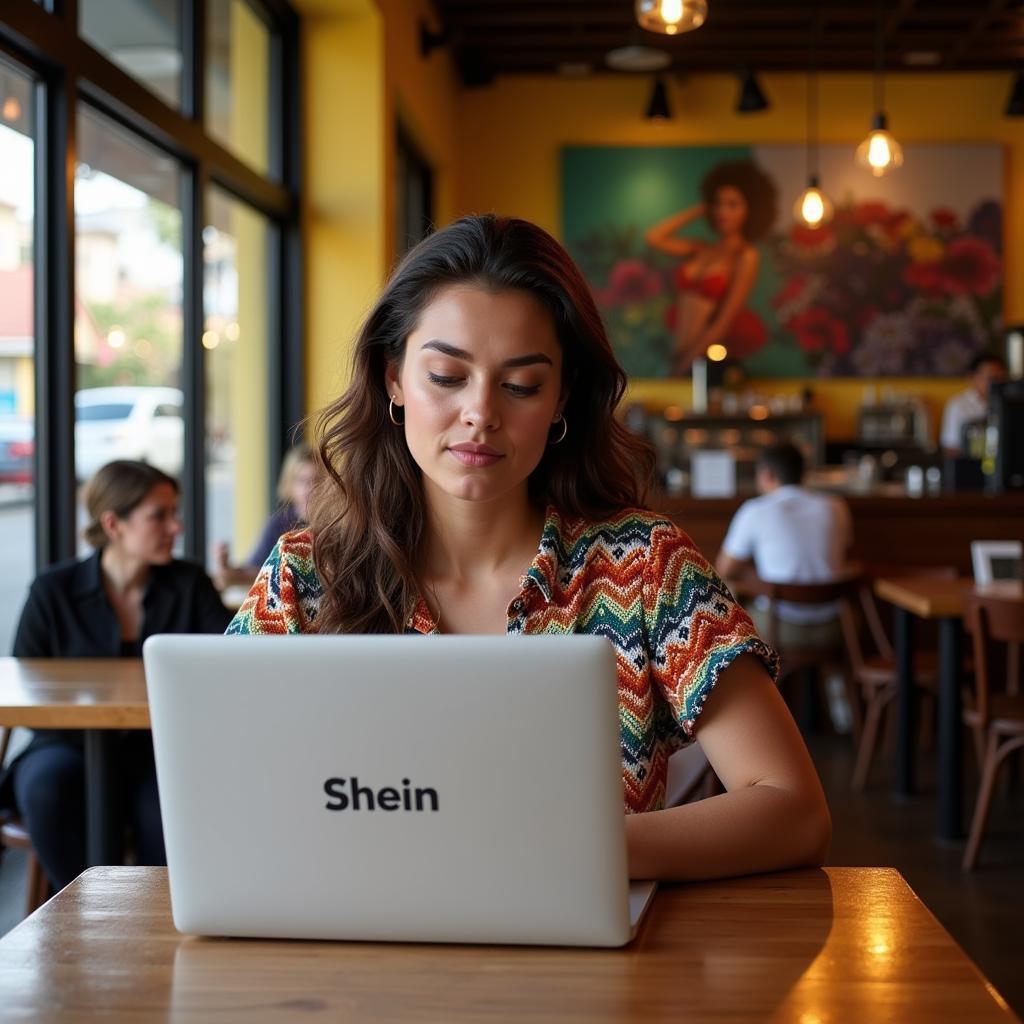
(367, 514)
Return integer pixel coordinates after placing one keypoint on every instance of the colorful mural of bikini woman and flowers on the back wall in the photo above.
(692, 247)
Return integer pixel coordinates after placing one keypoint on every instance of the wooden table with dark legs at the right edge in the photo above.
(944, 601)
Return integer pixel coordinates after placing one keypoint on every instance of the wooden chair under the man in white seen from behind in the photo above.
(813, 657)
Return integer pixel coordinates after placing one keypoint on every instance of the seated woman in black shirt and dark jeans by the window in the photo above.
(105, 607)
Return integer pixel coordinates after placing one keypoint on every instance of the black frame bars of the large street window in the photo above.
(70, 72)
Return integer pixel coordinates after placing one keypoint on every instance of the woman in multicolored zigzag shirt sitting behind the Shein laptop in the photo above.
(476, 481)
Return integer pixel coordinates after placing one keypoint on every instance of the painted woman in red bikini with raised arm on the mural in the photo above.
(717, 278)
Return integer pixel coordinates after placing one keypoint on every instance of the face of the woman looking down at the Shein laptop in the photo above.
(480, 388)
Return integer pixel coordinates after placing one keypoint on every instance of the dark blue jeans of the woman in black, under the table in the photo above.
(50, 791)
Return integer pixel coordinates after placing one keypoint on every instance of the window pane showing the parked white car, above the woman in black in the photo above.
(129, 317)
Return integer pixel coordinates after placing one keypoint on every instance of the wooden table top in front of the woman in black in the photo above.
(73, 694)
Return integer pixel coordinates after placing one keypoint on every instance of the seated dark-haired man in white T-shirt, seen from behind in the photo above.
(790, 535)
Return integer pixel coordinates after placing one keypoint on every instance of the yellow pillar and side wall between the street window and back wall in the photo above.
(362, 70)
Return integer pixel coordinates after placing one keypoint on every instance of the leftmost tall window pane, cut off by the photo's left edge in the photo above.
(18, 331)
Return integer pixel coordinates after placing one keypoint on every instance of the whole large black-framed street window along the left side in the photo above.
(166, 266)
